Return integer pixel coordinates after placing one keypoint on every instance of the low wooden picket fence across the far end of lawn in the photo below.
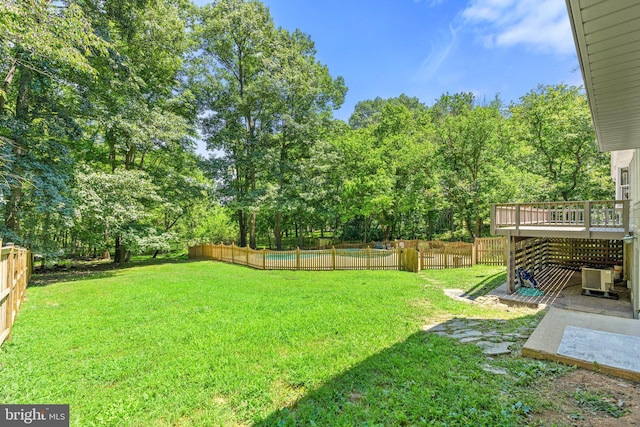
(408, 256)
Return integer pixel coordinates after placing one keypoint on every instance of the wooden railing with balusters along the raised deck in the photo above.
(603, 214)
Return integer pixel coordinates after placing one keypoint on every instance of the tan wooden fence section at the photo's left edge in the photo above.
(15, 272)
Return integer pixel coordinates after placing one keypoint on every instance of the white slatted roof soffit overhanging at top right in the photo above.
(607, 37)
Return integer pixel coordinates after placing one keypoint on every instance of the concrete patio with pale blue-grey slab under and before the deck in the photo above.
(593, 333)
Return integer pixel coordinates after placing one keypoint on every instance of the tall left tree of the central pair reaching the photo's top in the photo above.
(234, 87)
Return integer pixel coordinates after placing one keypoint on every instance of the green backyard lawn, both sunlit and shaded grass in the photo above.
(204, 343)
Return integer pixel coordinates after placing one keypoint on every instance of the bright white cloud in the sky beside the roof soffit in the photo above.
(540, 25)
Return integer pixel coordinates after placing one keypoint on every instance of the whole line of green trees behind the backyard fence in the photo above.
(102, 103)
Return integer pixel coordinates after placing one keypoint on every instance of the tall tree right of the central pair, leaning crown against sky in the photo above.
(307, 94)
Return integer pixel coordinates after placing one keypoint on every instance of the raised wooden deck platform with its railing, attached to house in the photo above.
(607, 219)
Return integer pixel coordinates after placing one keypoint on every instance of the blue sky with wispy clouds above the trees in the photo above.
(425, 48)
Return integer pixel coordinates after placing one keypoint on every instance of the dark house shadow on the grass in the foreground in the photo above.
(426, 379)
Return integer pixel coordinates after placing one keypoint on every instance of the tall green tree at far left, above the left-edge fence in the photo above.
(43, 47)
